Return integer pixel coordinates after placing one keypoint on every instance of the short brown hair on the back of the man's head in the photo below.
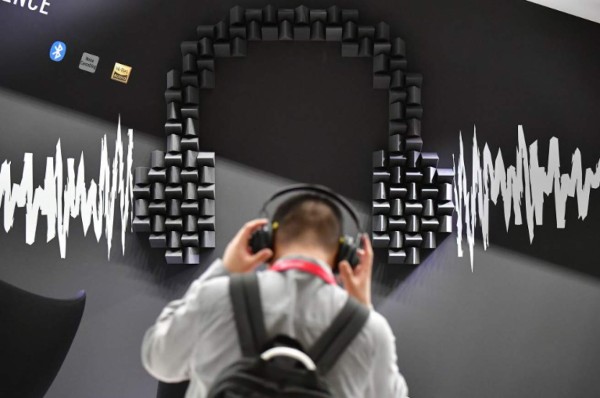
(309, 217)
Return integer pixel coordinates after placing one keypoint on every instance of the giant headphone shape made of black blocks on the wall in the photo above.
(175, 197)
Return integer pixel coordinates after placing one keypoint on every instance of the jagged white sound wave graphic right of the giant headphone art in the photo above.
(527, 178)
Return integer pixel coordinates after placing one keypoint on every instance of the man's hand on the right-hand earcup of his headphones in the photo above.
(357, 281)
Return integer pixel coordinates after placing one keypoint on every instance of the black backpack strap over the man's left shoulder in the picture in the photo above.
(247, 310)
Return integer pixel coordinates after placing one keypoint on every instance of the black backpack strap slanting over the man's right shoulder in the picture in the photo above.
(344, 328)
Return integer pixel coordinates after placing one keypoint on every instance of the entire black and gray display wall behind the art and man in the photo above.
(521, 325)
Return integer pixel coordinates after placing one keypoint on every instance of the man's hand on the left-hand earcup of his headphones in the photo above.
(238, 257)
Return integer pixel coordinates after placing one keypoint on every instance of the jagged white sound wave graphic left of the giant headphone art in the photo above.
(59, 202)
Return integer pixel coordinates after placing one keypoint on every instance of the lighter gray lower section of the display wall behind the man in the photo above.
(515, 327)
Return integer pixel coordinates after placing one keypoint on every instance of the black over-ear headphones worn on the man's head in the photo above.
(348, 246)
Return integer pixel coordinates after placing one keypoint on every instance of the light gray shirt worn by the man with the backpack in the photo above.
(195, 337)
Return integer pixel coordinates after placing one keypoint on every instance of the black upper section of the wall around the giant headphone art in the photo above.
(493, 64)
